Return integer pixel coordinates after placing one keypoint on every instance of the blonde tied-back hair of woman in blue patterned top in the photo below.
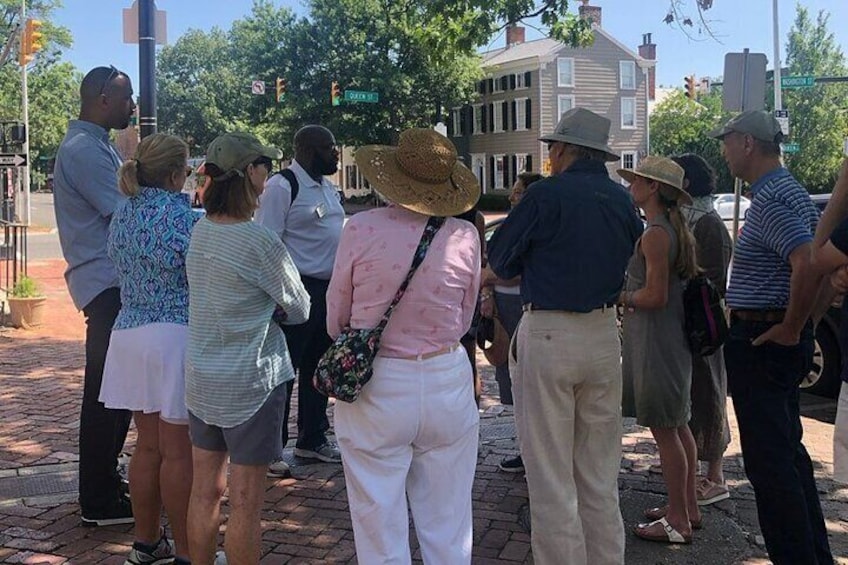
(156, 157)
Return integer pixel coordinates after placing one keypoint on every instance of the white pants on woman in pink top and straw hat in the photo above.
(411, 433)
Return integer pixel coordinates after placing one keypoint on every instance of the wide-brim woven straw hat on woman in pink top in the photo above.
(422, 173)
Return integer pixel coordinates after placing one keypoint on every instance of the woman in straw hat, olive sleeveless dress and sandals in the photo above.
(656, 359)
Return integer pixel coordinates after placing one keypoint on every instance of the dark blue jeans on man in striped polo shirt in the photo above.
(763, 382)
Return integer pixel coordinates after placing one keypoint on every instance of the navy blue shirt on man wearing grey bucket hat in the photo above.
(570, 238)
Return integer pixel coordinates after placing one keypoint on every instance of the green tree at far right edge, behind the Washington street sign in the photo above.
(819, 115)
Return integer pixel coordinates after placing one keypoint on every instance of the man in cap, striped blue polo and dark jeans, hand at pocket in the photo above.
(771, 293)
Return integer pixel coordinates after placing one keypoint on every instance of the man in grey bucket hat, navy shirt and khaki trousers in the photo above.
(570, 238)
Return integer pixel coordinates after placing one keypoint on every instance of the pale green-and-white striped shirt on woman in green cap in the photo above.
(237, 274)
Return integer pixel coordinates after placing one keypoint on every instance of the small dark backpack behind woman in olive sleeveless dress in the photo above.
(706, 324)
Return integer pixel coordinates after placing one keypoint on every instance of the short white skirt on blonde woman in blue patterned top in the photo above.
(145, 371)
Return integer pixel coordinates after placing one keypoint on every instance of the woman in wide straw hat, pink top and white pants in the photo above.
(412, 433)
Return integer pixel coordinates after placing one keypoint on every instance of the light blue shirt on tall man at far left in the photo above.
(85, 193)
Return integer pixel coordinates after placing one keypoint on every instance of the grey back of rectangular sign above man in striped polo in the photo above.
(744, 85)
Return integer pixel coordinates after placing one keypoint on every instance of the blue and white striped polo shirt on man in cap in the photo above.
(781, 218)
